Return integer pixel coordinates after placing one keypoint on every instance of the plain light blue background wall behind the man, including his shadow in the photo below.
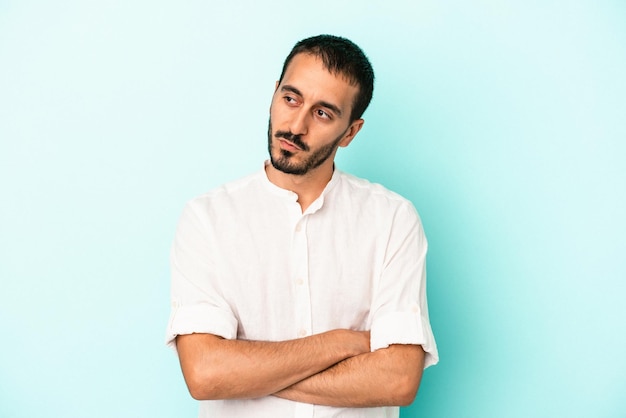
(503, 121)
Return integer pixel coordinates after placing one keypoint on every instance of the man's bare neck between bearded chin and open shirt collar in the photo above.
(308, 187)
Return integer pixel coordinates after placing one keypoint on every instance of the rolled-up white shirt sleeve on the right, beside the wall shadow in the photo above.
(400, 309)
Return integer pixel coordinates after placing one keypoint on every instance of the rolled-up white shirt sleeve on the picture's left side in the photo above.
(197, 305)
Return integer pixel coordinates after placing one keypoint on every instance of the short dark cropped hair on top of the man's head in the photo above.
(340, 56)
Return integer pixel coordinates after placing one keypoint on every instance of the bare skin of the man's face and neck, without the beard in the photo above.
(314, 104)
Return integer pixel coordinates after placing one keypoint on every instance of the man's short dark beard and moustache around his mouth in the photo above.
(283, 160)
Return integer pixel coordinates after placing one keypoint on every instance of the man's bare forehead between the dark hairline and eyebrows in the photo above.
(307, 73)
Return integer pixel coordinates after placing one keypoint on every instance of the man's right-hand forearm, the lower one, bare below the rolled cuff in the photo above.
(386, 377)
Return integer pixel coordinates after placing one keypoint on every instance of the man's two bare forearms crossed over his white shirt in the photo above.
(334, 368)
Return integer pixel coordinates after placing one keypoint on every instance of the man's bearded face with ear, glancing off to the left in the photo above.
(310, 117)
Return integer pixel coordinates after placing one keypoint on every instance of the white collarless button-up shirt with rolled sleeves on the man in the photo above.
(248, 264)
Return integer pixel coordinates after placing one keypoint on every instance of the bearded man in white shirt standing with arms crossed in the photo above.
(299, 291)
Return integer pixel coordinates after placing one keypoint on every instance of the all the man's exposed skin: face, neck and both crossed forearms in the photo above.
(334, 368)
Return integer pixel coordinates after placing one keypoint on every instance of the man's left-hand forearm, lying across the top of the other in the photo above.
(215, 368)
